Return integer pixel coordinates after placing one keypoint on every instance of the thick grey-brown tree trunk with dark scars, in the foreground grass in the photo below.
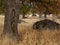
(11, 19)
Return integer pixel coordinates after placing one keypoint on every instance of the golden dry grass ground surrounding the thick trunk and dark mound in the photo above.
(29, 36)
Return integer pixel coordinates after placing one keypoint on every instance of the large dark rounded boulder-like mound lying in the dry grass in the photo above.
(46, 24)
